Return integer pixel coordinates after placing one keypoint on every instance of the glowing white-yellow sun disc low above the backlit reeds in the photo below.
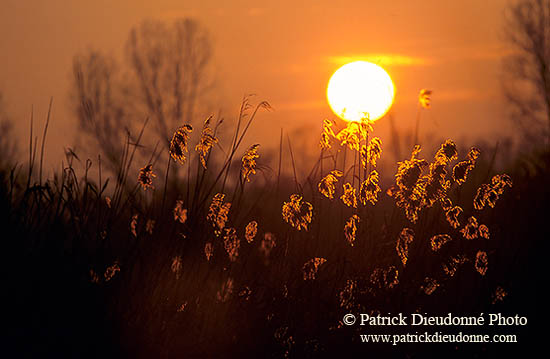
(360, 89)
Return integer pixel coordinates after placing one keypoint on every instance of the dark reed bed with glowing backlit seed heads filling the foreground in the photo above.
(228, 258)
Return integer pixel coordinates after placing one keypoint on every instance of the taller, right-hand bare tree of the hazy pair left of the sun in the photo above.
(169, 65)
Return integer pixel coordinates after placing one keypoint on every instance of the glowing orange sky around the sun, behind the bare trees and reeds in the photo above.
(284, 51)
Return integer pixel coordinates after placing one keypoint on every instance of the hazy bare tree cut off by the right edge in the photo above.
(527, 69)
